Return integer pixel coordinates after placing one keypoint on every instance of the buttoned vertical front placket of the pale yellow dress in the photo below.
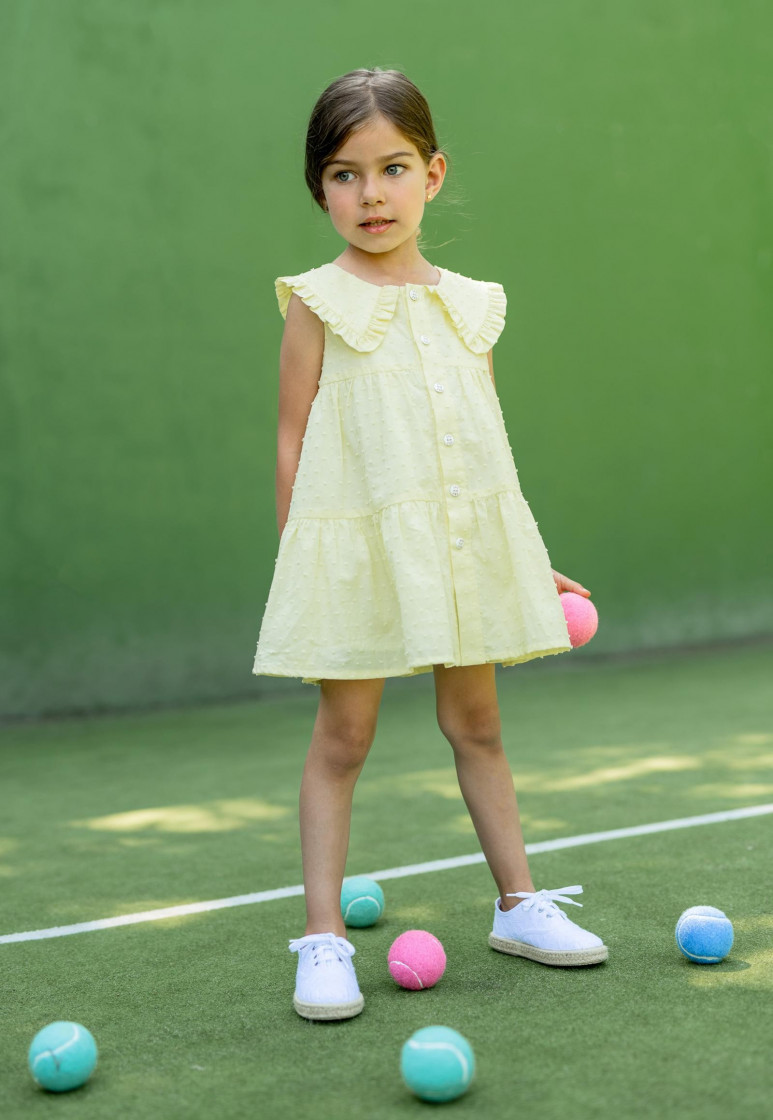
(459, 507)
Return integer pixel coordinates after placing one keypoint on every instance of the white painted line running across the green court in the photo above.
(390, 873)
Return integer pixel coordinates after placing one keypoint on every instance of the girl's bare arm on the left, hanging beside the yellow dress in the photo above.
(300, 368)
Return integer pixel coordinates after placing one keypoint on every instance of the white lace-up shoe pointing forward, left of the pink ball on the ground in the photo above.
(327, 985)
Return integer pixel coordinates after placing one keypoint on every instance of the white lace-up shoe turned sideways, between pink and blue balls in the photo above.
(539, 930)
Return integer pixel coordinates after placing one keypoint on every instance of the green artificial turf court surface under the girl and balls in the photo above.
(193, 1015)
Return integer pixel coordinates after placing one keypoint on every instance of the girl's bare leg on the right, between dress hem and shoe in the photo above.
(469, 716)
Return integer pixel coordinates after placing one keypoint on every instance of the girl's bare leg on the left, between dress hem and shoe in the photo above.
(343, 734)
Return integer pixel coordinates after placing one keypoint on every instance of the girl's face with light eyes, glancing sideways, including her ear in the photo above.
(377, 185)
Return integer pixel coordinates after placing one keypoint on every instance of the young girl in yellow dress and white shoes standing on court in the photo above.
(406, 544)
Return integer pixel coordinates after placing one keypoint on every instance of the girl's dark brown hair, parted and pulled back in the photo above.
(356, 99)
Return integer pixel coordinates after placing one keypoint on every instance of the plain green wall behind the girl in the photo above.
(612, 165)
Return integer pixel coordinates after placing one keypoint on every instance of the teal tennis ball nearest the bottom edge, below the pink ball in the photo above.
(437, 1065)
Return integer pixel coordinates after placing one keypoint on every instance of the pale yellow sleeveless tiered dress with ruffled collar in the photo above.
(408, 542)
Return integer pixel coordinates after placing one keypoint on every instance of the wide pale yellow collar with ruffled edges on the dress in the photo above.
(361, 312)
